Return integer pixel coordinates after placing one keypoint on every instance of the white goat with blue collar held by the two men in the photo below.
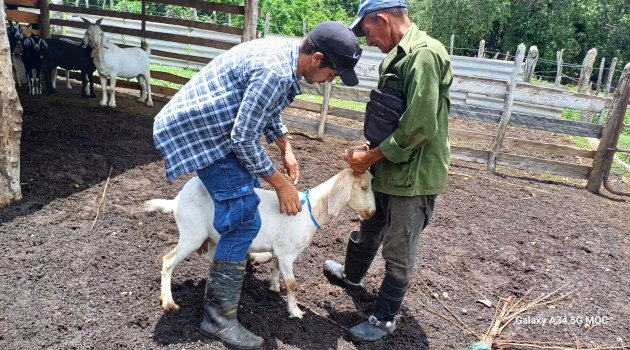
(281, 235)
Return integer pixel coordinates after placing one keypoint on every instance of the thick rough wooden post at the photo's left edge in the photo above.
(10, 124)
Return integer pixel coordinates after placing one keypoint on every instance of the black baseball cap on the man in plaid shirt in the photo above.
(337, 42)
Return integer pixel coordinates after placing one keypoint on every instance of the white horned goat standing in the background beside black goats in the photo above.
(112, 61)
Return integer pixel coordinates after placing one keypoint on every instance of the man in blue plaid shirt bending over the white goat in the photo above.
(213, 126)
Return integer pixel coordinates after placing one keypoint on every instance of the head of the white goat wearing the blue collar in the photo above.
(354, 191)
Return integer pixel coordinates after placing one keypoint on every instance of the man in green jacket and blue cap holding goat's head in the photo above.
(411, 165)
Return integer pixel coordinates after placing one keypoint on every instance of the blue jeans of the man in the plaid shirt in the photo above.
(236, 216)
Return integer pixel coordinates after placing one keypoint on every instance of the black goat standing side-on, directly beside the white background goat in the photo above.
(69, 56)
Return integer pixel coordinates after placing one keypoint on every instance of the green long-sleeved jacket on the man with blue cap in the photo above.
(418, 152)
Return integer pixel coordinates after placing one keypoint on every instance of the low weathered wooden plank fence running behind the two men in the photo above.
(510, 91)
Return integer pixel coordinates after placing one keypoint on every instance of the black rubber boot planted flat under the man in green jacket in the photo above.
(383, 322)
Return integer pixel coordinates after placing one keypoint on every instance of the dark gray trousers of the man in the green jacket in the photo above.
(397, 224)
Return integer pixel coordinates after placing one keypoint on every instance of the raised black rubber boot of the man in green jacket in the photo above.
(358, 261)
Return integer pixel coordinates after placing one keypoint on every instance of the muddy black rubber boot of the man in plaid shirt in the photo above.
(223, 292)
